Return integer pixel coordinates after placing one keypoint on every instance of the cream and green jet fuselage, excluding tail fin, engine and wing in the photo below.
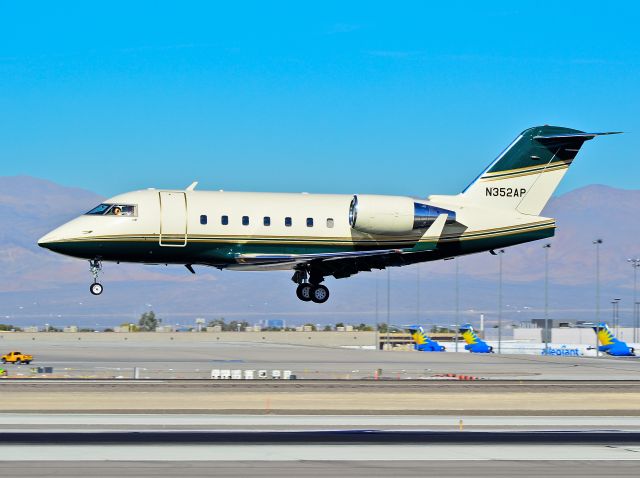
(226, 228)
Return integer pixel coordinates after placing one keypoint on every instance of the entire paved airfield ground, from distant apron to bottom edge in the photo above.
(523, 416)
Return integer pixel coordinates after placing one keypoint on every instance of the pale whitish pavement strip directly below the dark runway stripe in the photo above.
(430, 452)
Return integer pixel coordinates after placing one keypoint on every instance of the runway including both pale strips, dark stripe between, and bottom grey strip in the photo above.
(134, 445)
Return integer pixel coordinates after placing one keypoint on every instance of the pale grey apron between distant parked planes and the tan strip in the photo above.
(115, 356)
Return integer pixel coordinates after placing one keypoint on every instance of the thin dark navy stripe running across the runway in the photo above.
(299, 441)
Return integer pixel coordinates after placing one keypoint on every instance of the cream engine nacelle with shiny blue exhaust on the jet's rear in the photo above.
(392, 215)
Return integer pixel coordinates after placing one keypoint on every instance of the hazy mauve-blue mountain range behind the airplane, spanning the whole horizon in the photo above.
(37, 286)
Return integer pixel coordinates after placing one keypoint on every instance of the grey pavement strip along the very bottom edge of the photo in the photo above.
(322, 469)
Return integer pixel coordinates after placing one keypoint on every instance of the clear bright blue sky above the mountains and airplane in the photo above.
(350, 97)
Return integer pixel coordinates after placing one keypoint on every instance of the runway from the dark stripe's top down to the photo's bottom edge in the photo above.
(320, 454)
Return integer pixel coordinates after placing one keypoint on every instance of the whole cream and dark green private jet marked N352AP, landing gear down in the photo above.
(321, 235)
